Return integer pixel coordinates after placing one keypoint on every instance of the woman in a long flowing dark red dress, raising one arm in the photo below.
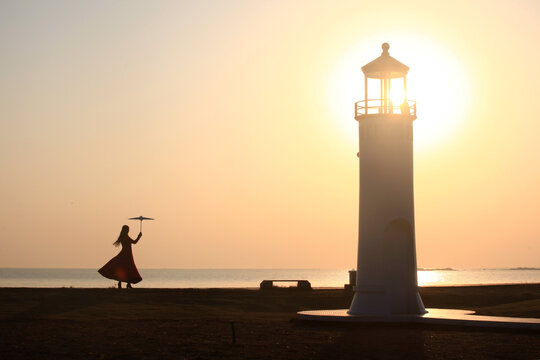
(122, 267)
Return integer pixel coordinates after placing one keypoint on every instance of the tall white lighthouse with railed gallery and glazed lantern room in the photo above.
(386, 282)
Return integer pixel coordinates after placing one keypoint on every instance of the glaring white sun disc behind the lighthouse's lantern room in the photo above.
(437, 81)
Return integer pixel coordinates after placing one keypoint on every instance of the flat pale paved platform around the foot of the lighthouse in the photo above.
(434, 316)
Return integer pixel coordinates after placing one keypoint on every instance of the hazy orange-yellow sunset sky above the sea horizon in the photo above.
(231, 123)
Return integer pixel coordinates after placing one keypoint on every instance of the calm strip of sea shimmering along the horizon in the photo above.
(204, 278)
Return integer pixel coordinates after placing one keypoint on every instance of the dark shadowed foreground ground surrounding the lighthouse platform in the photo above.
(196, 324)
